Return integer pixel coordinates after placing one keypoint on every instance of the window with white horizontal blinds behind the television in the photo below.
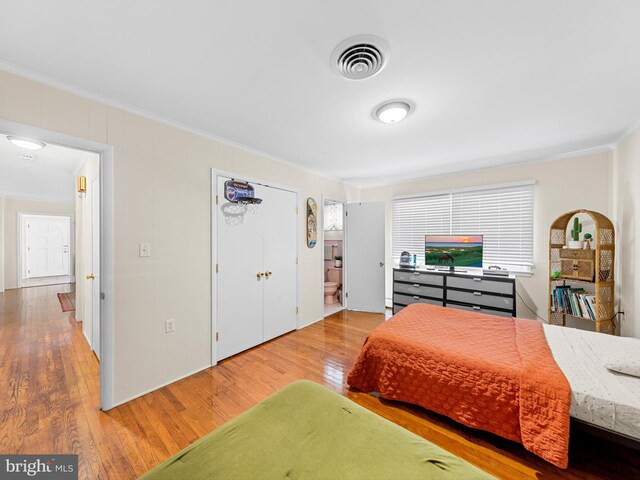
(503, 214)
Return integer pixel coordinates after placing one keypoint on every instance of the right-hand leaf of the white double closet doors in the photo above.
(280, 250)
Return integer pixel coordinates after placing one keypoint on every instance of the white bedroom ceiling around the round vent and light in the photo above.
(494, 82)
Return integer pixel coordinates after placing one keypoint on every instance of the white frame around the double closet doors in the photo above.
(215, 173)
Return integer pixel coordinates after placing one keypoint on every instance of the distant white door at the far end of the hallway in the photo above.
(47, 242)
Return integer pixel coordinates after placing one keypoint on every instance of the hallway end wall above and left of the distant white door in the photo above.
(11, 208)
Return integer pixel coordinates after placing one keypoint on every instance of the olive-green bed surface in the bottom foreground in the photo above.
(305, 431)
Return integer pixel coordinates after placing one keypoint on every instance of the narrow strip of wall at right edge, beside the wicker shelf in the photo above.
(626, 185)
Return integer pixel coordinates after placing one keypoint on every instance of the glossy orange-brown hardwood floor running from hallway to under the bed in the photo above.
(49, 397)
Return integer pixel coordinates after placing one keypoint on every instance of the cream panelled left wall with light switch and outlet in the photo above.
(162, 194)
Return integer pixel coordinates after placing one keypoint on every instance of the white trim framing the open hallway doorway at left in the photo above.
(105, 151)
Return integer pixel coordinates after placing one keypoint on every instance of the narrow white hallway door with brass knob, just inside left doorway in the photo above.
(95, 264)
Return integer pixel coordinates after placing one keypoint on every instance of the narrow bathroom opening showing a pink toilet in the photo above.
(333, 243)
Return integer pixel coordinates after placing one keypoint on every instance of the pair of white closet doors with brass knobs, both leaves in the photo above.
(255, 271)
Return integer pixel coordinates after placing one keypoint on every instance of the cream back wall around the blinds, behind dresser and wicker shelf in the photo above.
(561, 186)
